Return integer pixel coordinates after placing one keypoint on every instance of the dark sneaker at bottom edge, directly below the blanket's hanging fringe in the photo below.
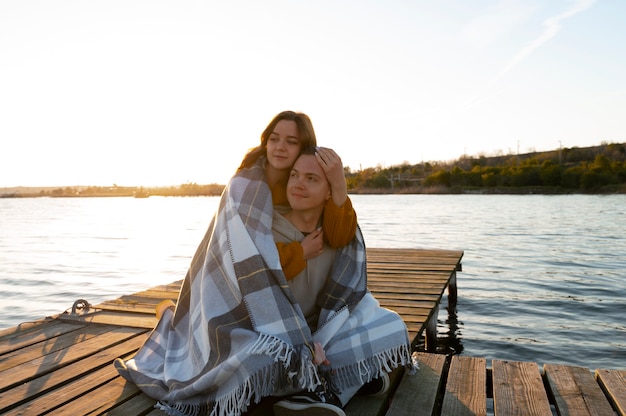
(320, 402)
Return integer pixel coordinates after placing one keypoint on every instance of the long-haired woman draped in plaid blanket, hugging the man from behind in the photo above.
(224, 345)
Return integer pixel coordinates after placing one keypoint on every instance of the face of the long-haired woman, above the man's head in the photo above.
(283, 145)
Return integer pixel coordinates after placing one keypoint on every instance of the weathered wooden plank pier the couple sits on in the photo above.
(63, 364)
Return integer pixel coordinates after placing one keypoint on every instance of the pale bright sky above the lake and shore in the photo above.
(160, 93)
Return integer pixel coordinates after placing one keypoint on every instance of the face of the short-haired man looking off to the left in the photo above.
(308, 187)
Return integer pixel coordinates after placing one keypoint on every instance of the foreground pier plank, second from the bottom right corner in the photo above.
(575, 391)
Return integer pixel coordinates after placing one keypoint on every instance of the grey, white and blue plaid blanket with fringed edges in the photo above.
(237, 334)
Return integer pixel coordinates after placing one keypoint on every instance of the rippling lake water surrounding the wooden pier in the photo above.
(544, 277)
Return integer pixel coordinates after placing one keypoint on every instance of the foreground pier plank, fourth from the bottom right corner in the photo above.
(466, 387)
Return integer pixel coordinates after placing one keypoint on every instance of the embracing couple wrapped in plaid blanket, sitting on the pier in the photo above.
(275, 302)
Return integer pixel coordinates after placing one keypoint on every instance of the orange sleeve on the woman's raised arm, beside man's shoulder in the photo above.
(339, 223)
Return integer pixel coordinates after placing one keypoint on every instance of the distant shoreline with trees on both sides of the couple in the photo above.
(597, 169)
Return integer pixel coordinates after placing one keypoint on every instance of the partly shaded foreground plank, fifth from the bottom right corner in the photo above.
(416, 394)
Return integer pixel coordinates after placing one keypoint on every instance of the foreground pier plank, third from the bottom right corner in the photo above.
(518, 389)
